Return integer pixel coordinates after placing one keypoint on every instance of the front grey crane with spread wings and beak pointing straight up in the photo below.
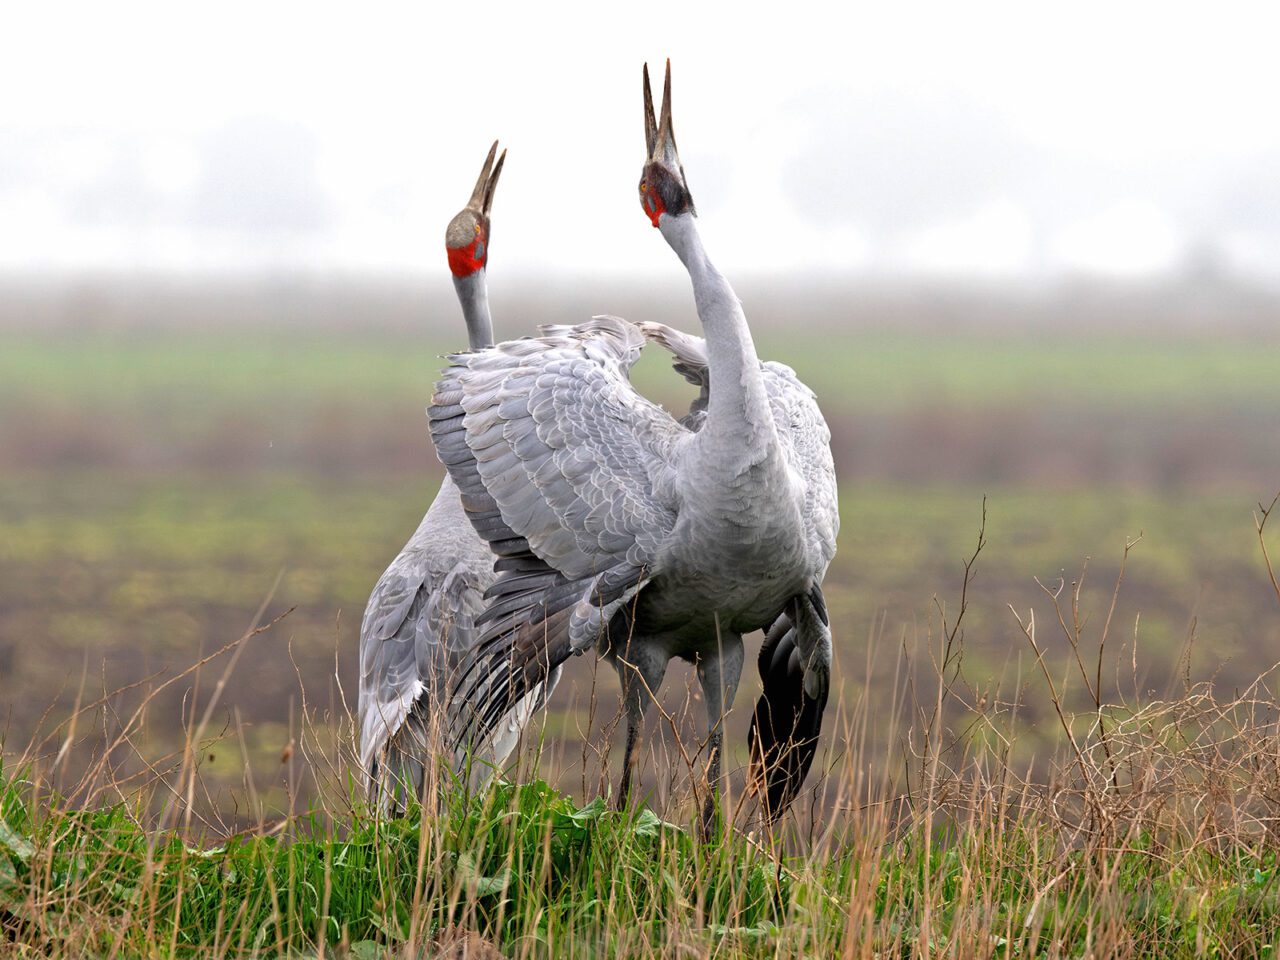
(620, 528)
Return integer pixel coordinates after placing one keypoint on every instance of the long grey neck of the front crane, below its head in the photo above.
(739, 409)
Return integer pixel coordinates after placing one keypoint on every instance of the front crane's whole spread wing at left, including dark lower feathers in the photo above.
(570, 477)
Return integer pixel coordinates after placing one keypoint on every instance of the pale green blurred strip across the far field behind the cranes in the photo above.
(861, 371)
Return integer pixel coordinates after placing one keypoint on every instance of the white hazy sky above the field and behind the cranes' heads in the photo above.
(1004, 141)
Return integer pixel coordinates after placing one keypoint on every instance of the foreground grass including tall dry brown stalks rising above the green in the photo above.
(1150, 833)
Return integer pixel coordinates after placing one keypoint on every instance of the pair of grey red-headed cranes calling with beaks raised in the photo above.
(578, 515)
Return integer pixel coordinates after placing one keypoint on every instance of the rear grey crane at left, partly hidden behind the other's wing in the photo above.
(420, 619)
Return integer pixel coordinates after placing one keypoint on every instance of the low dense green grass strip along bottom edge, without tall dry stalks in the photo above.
(541, 876)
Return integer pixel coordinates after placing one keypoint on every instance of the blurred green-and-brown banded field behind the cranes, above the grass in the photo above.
(156, 484)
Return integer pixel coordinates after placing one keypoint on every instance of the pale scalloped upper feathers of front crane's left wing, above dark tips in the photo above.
(566, 450)
